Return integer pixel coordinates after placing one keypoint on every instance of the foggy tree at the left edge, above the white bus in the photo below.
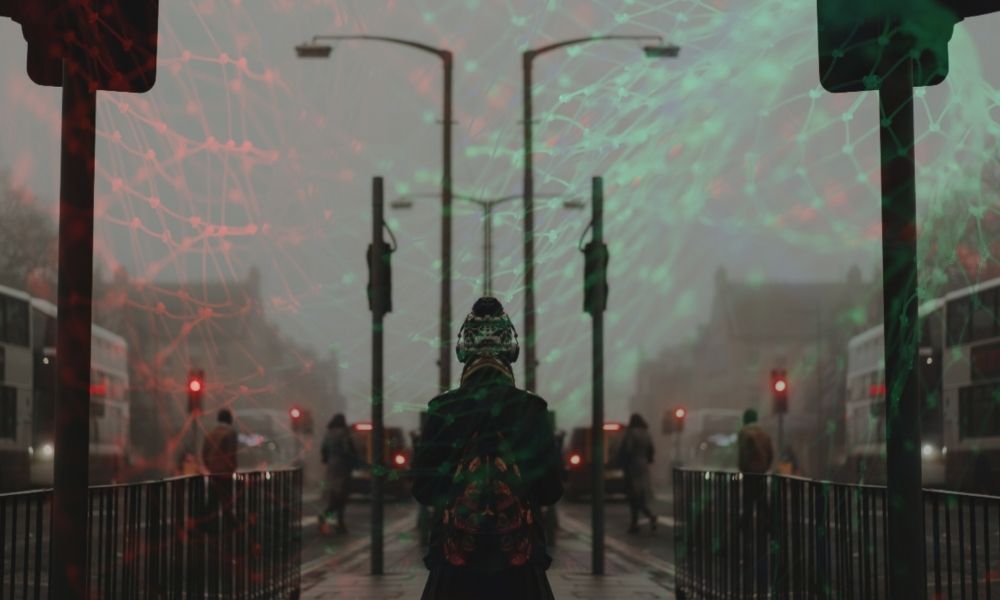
(28, 241)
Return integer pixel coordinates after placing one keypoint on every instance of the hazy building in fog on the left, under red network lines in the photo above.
(221, 328)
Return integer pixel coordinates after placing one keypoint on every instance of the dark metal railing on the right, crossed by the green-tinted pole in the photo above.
(772, 536)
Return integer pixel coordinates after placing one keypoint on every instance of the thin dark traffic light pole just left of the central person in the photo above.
(378, 429)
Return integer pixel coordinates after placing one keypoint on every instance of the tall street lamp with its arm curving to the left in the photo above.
(314, 49)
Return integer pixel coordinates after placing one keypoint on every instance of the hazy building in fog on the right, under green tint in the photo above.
(753, 328)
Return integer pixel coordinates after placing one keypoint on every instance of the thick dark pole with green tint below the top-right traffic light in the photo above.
(905, 540)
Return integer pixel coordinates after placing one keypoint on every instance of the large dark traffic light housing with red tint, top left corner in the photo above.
(118, 39)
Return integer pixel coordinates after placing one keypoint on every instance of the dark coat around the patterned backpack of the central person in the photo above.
(487, 401)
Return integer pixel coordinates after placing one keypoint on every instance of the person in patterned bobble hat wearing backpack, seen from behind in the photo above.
(486, 463)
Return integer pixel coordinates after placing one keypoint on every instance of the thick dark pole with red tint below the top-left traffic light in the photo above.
(70, 506)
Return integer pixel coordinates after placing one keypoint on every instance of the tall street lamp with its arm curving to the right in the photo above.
(651, 51)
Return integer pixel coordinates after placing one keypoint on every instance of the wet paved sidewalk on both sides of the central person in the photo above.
(628, 575)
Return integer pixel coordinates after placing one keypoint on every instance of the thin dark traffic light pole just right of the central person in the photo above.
(597, 412)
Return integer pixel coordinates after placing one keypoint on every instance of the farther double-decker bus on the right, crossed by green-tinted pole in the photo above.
(865, 403)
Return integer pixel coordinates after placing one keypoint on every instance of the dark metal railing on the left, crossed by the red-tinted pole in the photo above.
(189, 537)
